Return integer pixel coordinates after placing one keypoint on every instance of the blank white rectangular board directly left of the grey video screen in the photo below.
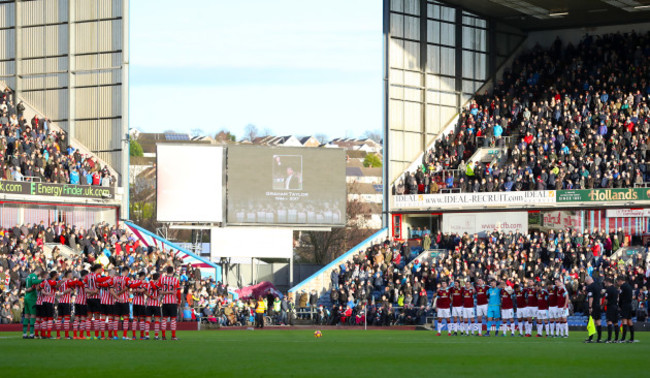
(189, 183)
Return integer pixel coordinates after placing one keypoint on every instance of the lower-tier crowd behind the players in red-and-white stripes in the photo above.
(60, 246)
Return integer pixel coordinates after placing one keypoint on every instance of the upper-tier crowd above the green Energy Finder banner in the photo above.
(34, 149)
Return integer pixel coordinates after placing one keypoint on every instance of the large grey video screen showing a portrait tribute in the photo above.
(286, 185)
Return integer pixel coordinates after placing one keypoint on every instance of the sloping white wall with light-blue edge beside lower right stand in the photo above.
(320, 281)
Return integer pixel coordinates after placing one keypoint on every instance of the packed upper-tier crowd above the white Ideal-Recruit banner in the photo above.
(567, 117)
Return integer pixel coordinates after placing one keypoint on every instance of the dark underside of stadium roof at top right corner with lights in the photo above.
(532, 15)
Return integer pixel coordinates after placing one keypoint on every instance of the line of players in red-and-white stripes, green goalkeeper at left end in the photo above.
(101, 302)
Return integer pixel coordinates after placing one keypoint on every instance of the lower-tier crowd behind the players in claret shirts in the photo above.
(399, 287)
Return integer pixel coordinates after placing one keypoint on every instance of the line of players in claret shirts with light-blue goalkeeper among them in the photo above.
(536, 303)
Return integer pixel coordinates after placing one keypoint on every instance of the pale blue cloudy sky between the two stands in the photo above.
(300, 67)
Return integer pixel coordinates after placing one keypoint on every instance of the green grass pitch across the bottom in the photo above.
(339, 353)
